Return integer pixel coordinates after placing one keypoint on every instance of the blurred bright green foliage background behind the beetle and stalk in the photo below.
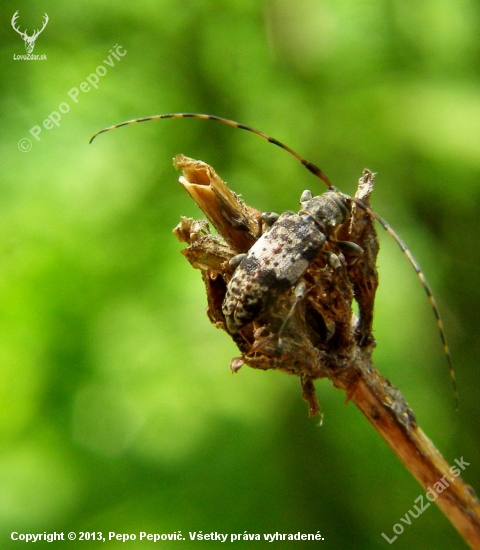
(118, 411)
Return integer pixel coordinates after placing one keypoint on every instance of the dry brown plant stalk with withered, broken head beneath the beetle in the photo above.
(323, 338)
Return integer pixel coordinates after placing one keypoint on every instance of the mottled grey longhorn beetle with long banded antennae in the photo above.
(317, 221)
